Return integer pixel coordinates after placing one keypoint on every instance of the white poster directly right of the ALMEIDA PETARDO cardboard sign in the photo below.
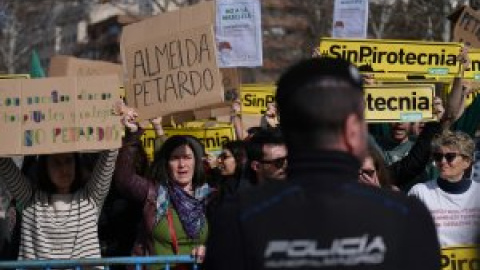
(239, 33)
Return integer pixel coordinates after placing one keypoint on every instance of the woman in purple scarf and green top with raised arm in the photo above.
(173, 195)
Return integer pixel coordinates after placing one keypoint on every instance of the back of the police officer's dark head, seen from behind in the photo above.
(314, 99)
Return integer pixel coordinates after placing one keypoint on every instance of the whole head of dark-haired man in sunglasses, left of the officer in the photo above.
(267, 156)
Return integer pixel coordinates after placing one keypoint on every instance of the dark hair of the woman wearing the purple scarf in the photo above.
(159, 167)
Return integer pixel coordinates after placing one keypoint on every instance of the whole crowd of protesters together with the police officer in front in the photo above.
(309, 188)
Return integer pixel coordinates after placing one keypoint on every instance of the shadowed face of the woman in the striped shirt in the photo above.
(61, 170)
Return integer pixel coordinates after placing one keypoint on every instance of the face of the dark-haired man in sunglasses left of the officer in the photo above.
(274, 163)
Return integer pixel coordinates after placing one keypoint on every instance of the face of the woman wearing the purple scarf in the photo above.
(182, 165)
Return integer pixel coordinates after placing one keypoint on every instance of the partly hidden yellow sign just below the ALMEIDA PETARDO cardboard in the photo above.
(212, 138)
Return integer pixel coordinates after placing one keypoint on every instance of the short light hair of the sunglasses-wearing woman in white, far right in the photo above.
(456, 140)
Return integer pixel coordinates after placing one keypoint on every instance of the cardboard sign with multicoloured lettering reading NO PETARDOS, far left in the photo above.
(55, 115)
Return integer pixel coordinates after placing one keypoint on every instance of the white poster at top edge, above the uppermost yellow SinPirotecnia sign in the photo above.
(350, 19)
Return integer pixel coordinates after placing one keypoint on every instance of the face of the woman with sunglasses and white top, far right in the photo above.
(450, 163)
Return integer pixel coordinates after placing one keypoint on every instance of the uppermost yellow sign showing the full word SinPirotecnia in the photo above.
(434, 58)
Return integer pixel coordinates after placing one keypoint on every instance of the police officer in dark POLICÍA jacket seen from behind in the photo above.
(322, 217)
